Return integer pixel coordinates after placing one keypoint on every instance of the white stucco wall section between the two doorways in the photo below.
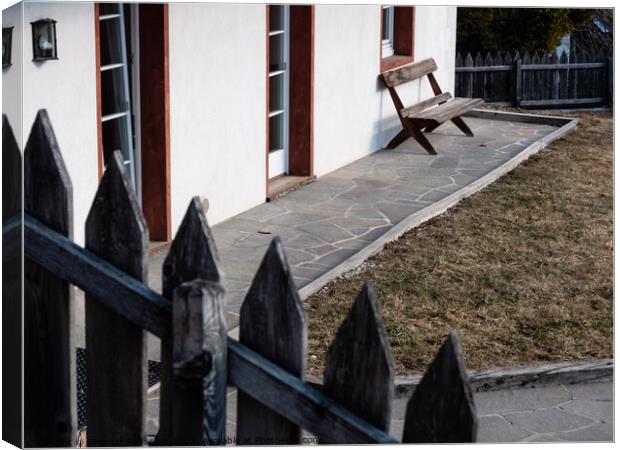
(217, 107)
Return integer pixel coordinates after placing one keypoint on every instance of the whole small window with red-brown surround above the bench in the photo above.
(397, 33)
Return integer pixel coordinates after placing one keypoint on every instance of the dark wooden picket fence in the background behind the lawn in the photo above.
(537, 81)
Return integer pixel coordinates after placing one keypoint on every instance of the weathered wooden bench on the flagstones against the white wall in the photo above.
(430, 113)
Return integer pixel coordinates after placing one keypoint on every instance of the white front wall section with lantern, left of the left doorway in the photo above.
(66, 88)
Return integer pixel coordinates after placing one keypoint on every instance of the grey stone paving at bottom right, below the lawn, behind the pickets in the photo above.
(577, 413)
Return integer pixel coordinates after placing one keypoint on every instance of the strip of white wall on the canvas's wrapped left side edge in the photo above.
(12, 76)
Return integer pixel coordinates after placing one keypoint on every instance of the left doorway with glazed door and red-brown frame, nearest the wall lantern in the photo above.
(132, 57)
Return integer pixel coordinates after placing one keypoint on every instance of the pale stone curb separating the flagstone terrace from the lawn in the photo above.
(437, 208)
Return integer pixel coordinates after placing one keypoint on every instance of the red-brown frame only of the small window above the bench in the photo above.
(403, 37)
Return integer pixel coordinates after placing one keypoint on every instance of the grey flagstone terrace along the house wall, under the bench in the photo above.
(325, 223)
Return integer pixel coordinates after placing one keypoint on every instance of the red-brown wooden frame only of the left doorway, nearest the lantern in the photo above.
(154, 116)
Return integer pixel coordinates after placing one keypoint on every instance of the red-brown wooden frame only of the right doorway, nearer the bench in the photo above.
(301, 93)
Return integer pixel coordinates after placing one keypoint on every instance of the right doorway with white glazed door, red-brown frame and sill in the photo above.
(290, 76)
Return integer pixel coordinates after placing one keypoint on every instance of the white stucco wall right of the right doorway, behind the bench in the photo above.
(353, 113)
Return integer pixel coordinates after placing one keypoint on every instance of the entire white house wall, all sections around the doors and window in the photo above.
(217, 71)
